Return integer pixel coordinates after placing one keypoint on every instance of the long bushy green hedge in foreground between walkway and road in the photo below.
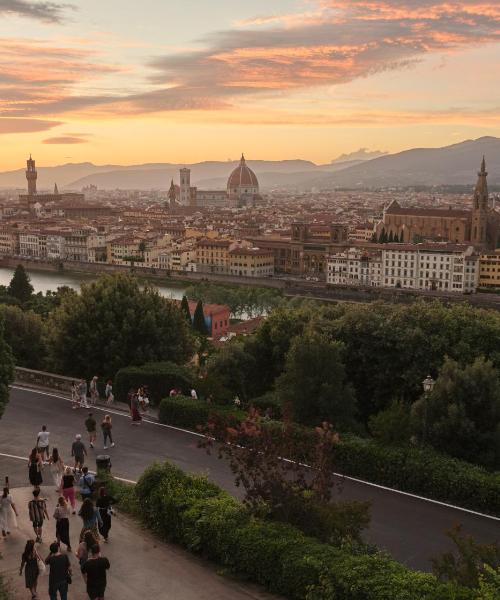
(197, 514)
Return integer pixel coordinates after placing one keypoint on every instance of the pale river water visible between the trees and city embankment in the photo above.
(51, 280)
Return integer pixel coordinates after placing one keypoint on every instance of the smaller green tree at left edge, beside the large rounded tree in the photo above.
(24, 332)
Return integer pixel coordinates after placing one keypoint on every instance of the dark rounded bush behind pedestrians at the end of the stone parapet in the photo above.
(160, 378)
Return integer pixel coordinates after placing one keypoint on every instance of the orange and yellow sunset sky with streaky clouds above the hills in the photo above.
(111, 81)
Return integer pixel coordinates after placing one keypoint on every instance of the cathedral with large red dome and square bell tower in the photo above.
(242, 190)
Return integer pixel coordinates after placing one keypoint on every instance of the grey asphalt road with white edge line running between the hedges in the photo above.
(412, 530)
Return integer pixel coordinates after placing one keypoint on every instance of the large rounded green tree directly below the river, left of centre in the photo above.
(114, 324)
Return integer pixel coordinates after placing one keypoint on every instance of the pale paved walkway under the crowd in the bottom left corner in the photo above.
(141, 566)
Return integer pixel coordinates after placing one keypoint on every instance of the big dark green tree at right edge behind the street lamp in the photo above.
(462, 414)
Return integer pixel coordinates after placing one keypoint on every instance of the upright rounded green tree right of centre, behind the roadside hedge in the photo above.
(313, 385)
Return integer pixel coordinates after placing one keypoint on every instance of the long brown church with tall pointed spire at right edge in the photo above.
(479, 226)
